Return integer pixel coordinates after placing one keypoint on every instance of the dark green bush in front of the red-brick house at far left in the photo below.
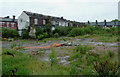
(9, 33)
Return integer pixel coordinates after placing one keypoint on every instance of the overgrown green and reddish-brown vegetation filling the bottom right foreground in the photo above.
(91, 63)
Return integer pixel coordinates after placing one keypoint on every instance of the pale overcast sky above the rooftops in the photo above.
(78, 10)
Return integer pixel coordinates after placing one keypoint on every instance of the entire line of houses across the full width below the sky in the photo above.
(32, 20)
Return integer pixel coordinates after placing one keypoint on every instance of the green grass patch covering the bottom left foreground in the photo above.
(28, 65)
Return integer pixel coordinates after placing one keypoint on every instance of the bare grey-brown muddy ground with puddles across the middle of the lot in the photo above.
(62, 52)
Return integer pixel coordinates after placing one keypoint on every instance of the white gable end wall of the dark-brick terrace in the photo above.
(23, 21)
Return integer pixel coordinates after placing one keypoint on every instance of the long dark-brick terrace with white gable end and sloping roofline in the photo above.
(32, 20)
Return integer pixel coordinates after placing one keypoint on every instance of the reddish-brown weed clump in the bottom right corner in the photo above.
(106, 67)
